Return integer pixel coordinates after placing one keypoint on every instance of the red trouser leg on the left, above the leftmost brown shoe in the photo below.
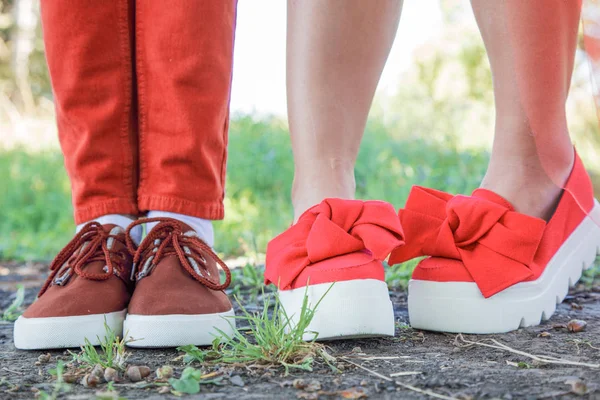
(89, 53)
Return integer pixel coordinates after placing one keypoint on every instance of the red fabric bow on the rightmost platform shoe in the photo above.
(495, 243)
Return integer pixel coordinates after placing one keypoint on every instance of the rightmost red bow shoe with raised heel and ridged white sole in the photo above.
(491, 269)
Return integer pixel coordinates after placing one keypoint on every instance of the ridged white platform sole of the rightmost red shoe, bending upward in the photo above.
(460, 306)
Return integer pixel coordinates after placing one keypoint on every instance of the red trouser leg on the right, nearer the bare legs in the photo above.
(184, 56)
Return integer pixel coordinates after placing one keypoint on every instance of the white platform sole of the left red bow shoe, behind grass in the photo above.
(351, 309)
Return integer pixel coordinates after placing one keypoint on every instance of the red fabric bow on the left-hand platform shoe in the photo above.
(332, 228)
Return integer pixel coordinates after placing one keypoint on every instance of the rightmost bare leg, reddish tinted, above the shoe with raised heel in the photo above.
(531, 47)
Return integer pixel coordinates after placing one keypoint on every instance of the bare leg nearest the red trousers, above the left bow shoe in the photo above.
(336, 50)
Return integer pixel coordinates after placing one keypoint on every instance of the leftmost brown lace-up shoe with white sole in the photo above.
(89, 285)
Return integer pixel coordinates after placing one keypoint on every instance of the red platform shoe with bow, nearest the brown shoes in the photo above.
(333, 255)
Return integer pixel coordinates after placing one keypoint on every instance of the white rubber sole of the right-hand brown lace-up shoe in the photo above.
(148, 331)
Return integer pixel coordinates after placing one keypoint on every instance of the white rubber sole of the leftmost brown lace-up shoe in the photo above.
(65, 332)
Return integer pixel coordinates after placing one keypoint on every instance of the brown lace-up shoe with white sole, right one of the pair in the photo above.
(178, 298)
